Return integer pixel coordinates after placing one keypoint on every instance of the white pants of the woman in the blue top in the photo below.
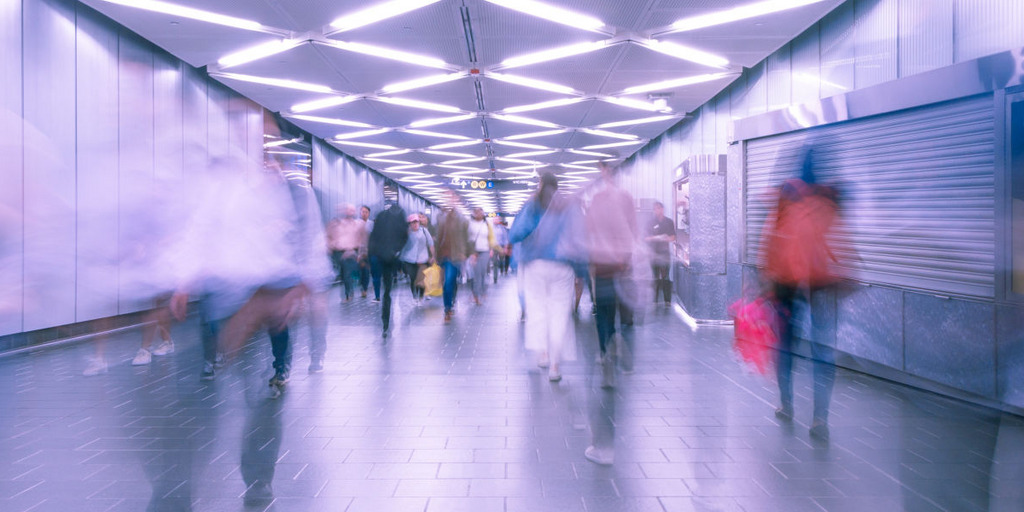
(549, 290)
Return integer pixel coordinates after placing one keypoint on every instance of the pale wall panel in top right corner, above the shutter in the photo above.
(987, 27)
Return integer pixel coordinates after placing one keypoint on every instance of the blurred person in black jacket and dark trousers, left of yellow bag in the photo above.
(387, 242)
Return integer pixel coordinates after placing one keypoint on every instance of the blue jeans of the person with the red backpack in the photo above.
(824, 358)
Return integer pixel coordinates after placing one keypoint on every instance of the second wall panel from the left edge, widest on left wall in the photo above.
(50, 163)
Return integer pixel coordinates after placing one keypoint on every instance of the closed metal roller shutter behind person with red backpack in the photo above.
(919, 194)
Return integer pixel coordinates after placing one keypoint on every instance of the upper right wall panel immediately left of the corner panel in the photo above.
(926, 35)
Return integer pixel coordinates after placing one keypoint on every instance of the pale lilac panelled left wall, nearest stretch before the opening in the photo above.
(94, 119)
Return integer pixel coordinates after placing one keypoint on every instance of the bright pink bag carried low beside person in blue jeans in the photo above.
(755, 332)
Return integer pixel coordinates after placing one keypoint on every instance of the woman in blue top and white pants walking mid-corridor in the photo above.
(550, 231)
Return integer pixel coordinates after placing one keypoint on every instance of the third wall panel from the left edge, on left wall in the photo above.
(98, 168)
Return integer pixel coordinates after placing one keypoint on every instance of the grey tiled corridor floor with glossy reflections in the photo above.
(458, 418)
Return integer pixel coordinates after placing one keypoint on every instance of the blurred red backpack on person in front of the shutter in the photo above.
(797, 251)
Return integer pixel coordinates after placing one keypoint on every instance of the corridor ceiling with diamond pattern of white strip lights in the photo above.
(449, 35)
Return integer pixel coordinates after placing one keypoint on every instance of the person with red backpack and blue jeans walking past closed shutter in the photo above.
(799, 262)
